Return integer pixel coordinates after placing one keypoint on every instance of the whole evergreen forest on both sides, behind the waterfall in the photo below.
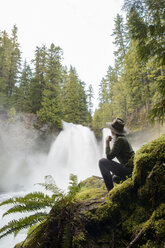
(134, 89)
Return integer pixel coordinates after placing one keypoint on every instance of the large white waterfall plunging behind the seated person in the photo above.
(76, 151)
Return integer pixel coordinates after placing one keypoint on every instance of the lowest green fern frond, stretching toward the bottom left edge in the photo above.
(15, 226)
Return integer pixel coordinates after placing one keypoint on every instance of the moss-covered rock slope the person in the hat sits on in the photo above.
(133, 215)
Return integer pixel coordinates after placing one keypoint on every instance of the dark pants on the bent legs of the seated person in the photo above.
(119, 172)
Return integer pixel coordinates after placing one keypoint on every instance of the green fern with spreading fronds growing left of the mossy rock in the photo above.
(36, 201)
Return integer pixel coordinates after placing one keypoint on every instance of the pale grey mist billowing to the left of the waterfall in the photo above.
(22, 151)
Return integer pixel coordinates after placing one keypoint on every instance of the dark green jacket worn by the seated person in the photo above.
(122, 150)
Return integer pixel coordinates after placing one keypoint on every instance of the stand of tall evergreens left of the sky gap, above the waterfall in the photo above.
(44, 87)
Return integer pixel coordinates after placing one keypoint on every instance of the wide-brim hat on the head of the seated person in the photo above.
(117, 126)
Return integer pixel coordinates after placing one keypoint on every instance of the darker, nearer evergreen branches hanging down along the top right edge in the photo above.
(146, 22)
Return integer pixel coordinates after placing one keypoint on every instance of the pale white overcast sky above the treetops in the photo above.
(82, 28)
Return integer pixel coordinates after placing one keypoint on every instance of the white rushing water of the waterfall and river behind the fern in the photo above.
(75, 150)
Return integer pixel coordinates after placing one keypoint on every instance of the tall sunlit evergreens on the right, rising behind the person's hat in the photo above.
(136, 91)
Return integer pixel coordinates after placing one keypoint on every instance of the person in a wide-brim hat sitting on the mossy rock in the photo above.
(122, 150)
